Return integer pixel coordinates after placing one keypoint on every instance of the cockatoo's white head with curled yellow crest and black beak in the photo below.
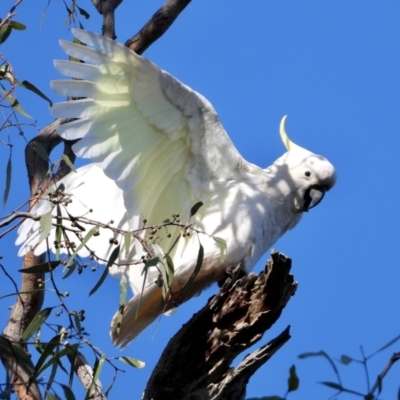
(309, 175)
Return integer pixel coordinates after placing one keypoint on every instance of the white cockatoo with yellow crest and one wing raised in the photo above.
(157, 148)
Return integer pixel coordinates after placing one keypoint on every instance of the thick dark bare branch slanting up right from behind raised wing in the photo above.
(157, 25)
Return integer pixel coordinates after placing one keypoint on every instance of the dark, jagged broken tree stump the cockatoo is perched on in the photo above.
(196, 362)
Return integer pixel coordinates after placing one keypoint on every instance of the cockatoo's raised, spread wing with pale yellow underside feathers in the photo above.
(160, 141)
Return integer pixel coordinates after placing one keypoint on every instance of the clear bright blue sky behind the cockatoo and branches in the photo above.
(334, 68)
